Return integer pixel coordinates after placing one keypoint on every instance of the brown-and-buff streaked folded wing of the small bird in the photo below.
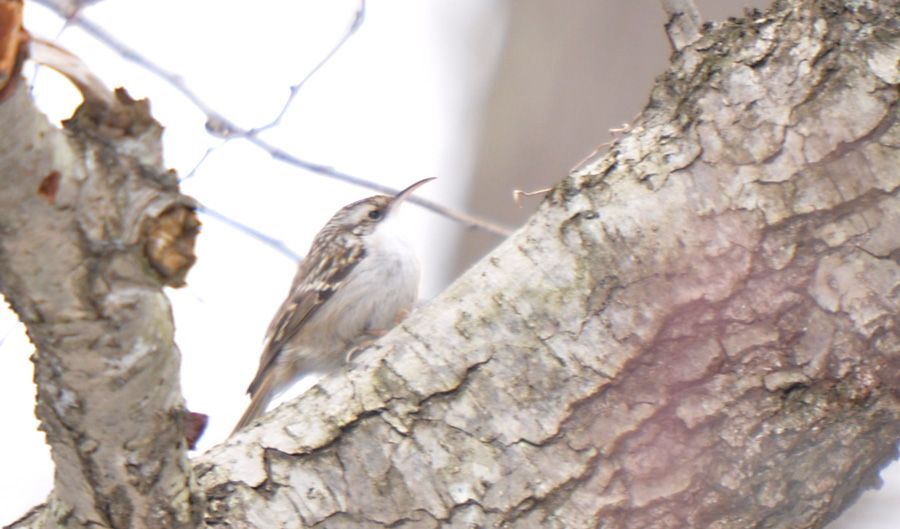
(317, 280)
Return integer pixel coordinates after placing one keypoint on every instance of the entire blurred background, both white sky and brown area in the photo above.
(485, 95)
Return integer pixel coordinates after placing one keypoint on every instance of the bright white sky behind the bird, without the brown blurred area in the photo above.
(394, 106)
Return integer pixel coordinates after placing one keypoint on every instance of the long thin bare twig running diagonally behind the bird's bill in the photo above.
(221, 126)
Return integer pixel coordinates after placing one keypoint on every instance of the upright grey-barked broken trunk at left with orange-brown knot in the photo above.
(91, 227)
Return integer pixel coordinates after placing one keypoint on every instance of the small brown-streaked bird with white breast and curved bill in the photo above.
(358, 280)
